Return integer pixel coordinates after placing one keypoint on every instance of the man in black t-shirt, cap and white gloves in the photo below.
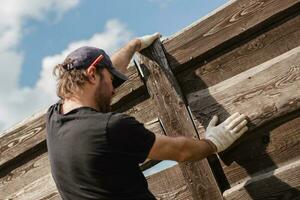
(95, 153)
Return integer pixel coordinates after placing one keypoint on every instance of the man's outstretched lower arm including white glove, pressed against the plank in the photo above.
(217, 139)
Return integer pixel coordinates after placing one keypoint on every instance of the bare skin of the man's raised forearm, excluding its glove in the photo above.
(122, 57)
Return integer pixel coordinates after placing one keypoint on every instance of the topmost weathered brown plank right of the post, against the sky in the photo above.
(235, 22)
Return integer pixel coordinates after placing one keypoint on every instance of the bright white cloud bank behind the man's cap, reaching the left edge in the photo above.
(22, 102)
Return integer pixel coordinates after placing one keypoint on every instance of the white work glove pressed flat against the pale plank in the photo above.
(227, 132)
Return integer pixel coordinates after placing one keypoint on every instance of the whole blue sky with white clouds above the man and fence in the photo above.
(35, 35)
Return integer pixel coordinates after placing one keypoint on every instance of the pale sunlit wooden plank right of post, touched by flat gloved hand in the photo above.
(263, 93)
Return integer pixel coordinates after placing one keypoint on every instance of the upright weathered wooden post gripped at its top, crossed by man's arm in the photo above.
(164, 90)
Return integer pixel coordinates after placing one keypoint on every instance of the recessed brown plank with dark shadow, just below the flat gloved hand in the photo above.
(269, 146)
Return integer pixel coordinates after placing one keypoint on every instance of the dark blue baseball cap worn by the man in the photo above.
(86, 56)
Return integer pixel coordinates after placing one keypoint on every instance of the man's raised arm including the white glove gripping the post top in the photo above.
(122, 57)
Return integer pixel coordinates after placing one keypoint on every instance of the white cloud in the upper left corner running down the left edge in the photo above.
(13, 15)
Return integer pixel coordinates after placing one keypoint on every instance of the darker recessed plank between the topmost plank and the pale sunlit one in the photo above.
(269, 44)
